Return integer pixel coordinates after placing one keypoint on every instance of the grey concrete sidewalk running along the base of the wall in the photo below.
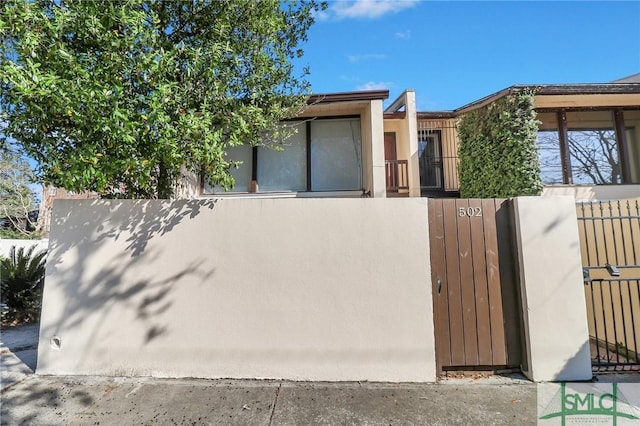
(47, 400)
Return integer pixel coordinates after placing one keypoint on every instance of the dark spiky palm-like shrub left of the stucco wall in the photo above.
(21, 283)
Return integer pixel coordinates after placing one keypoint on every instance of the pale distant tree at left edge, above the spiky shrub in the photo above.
(17, 199)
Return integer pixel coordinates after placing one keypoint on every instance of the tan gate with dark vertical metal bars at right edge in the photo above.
(610, 245)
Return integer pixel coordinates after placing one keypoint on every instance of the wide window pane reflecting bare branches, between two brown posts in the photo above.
(593, 149)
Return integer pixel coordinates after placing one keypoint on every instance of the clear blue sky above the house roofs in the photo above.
(455, 52)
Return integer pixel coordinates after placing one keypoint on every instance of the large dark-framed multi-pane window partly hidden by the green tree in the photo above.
(323, 155)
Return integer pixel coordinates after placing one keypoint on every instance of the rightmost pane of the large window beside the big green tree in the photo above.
(336, 160)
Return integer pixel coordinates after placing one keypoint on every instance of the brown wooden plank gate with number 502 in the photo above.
(476, 302)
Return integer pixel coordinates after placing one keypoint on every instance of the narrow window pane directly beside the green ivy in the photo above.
(549, 149)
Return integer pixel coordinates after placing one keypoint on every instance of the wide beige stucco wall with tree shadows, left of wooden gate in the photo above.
(302, 289)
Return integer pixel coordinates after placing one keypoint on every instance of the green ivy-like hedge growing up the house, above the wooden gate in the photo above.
(497, 150)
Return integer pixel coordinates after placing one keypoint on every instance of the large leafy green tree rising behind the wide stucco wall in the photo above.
(121, 97)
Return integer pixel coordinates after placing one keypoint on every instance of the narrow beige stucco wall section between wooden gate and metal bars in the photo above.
(552, 290)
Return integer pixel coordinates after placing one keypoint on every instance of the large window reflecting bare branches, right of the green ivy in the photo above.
(583, 147)
